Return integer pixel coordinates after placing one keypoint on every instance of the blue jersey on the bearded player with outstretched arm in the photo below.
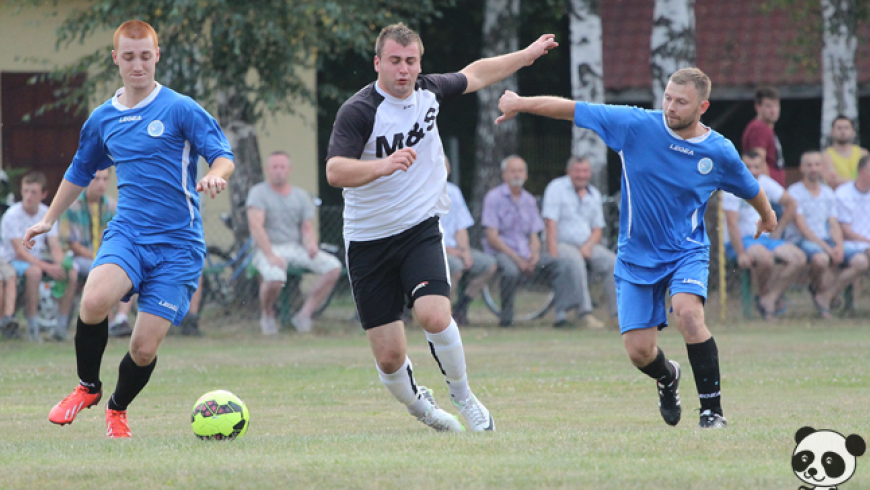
(666, 183)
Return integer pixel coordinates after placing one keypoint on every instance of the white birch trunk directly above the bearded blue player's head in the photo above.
(672, 44)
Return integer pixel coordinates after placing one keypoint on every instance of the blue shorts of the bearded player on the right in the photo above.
(643, 305)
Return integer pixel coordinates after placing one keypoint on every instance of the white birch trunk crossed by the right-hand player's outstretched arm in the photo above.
(587, 82)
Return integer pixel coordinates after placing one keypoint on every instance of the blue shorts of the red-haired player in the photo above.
(164, 276)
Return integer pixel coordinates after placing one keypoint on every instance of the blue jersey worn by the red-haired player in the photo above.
(154, 148)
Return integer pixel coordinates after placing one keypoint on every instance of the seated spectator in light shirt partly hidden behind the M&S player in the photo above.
(464, 262)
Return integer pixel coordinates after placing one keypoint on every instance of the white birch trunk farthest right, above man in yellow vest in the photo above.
(839, 76)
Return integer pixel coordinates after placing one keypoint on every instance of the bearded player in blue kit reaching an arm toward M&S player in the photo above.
(671, 165)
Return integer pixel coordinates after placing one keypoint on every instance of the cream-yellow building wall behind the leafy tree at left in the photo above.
(29, 35)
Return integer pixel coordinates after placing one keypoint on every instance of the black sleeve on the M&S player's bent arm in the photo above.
(353, 124)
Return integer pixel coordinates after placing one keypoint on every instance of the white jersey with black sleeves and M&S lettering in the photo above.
(371, 125)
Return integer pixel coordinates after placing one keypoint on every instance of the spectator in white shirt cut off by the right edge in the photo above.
(853, 208)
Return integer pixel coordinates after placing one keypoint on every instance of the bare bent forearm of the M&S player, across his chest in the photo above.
(351, 172)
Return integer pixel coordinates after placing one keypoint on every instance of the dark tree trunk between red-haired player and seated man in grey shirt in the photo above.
(234, 114)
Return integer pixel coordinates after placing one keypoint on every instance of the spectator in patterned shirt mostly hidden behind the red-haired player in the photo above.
(87, 219)
